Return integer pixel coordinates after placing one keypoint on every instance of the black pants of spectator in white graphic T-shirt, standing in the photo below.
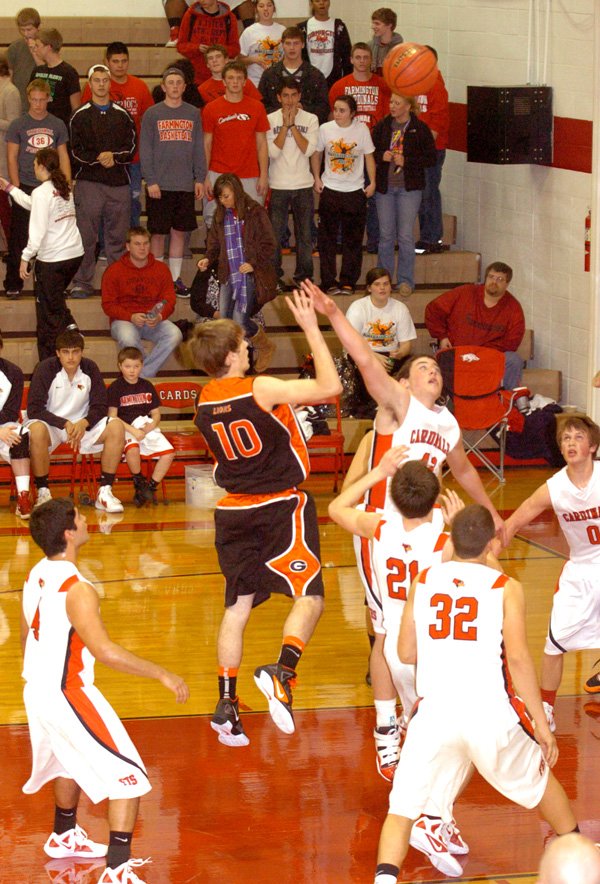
(350, 211)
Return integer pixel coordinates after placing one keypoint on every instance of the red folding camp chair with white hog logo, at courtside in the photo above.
(473, 380)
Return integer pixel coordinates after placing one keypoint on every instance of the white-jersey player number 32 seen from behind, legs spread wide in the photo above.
(463, 617)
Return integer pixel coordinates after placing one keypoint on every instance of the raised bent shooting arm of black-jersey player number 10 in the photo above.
(269, 391)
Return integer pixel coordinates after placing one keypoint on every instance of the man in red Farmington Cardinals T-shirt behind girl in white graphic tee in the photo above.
(372, 96)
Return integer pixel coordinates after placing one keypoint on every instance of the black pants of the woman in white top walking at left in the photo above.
(52, 313)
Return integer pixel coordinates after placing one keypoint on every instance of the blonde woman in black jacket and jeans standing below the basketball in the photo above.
(404, 148)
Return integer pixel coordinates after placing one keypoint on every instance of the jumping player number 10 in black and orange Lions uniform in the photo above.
(267, 538)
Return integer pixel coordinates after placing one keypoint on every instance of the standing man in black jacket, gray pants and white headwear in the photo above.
(103, 142)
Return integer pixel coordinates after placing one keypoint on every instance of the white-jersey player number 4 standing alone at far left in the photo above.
(76, 737)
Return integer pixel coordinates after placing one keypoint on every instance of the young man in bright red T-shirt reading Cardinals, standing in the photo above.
(235, 139)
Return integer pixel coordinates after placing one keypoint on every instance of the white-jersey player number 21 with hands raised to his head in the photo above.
(402, 543)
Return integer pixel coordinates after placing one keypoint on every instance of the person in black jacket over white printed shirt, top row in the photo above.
(327, 43)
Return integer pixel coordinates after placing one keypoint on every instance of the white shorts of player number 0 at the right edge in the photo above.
(575, 616)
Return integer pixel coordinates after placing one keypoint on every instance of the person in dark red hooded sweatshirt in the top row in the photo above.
(207, 22)
